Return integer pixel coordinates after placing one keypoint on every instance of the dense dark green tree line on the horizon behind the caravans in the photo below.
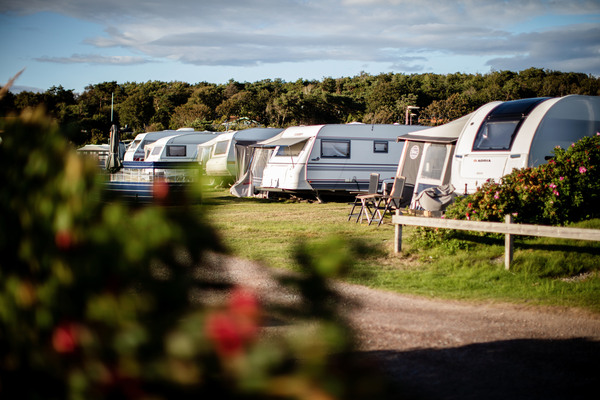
(384, 98)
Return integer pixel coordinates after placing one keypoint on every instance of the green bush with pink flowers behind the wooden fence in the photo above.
(565, 190)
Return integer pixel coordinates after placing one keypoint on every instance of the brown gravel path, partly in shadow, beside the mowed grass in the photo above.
(460, 350)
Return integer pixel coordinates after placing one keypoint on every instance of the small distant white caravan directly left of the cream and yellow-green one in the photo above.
(178, 148)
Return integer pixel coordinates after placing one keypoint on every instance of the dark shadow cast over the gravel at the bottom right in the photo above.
(514, 369)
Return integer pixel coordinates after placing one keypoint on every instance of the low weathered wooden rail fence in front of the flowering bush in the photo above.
(508, 228)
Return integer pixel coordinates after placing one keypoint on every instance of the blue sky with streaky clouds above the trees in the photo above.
(75, 43)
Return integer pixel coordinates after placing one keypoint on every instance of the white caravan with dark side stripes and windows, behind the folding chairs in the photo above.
(332, 158)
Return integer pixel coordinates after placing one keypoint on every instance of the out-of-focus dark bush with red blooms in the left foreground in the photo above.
(99, 299)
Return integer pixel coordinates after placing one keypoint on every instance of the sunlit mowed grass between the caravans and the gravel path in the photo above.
(545, 271)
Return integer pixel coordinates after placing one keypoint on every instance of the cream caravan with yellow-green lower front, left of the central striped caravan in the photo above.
(220, 156)
